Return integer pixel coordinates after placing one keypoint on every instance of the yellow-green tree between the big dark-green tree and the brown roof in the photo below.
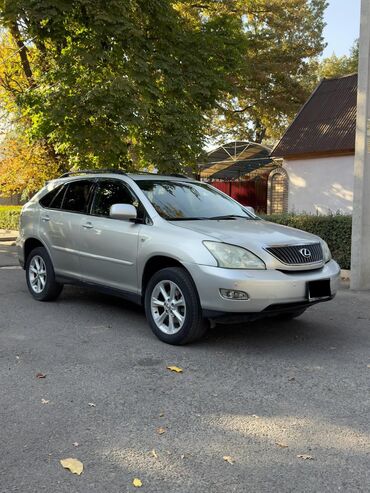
(283, 36)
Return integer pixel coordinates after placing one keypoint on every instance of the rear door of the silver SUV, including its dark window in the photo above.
(60, 224)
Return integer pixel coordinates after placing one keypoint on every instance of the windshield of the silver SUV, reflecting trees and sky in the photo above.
(190, 200)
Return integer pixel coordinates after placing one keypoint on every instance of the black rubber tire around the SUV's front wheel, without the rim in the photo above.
(193, 325)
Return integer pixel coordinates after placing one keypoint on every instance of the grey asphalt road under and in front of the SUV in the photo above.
(262, 394)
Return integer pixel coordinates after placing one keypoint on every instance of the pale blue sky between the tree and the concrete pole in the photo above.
(343, 26)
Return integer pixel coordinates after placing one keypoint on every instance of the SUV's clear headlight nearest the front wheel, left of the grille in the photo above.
(233, 257)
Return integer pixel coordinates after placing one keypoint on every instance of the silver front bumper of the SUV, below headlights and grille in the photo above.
(264, 287)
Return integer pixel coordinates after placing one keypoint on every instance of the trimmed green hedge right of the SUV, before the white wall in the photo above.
(334, 229)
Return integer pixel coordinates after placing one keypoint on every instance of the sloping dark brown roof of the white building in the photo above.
(326, 123)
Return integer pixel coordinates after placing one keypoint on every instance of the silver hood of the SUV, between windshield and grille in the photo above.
(251, 234)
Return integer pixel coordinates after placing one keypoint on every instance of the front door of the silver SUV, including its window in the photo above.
(109, 246)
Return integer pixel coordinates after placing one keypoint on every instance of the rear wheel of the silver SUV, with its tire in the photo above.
(40, 276)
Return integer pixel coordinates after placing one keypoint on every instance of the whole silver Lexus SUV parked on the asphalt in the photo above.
(189, 253)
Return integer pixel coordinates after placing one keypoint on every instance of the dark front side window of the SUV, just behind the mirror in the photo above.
(111, 192)
